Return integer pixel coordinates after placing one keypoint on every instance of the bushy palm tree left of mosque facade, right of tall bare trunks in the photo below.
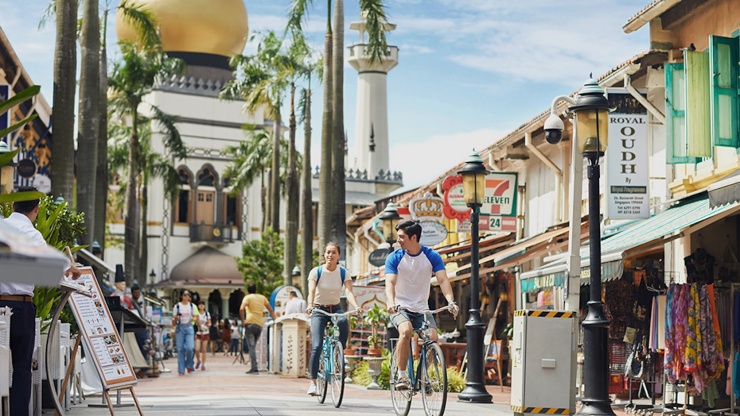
(142, 64)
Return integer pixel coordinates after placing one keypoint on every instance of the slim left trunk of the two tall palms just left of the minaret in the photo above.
(325, 192)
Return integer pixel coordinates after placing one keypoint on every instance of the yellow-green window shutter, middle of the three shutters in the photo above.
(698, 122)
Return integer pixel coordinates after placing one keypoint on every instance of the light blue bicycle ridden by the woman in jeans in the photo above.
(331, 362)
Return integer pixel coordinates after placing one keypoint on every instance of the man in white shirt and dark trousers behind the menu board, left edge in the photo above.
(19, 298)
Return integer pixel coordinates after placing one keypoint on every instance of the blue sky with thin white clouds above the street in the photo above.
(469, 71)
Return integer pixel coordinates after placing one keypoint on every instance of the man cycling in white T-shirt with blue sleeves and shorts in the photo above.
(408, 277)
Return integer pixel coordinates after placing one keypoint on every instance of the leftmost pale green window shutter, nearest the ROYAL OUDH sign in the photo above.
(675, 95)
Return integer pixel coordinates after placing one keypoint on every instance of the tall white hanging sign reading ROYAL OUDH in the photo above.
(627, 164)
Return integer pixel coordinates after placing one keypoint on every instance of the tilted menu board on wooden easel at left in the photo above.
(100, 334)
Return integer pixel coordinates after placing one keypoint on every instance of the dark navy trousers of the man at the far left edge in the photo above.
(22, 335)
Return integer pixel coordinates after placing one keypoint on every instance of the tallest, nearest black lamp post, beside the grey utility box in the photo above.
(592, 126)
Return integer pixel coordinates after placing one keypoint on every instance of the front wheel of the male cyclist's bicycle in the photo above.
(434, 381)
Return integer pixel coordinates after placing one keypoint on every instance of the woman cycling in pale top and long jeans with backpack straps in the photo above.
(325, 284)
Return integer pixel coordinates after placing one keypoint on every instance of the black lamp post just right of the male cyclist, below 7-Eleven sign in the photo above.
(474, 181)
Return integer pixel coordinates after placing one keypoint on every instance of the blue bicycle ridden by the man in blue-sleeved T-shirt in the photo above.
(430, 377)
